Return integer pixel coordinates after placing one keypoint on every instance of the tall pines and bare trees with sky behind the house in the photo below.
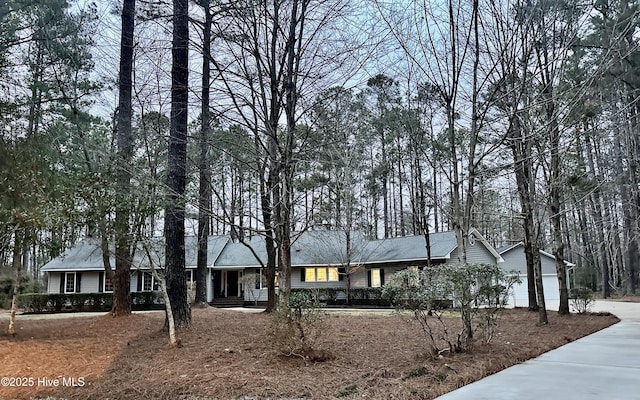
(517, 118)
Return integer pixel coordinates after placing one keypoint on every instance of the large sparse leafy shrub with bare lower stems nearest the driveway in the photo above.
(478, 292)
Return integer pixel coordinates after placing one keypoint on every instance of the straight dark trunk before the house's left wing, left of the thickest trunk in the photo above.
(122, 282)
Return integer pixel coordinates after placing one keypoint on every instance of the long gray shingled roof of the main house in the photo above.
(308, 248)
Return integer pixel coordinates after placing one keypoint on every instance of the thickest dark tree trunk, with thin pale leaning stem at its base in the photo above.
(176, 170)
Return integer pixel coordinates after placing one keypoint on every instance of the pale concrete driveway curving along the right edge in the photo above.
(604, 365)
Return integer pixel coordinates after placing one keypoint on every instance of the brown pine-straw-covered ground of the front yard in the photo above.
(228, 355)
